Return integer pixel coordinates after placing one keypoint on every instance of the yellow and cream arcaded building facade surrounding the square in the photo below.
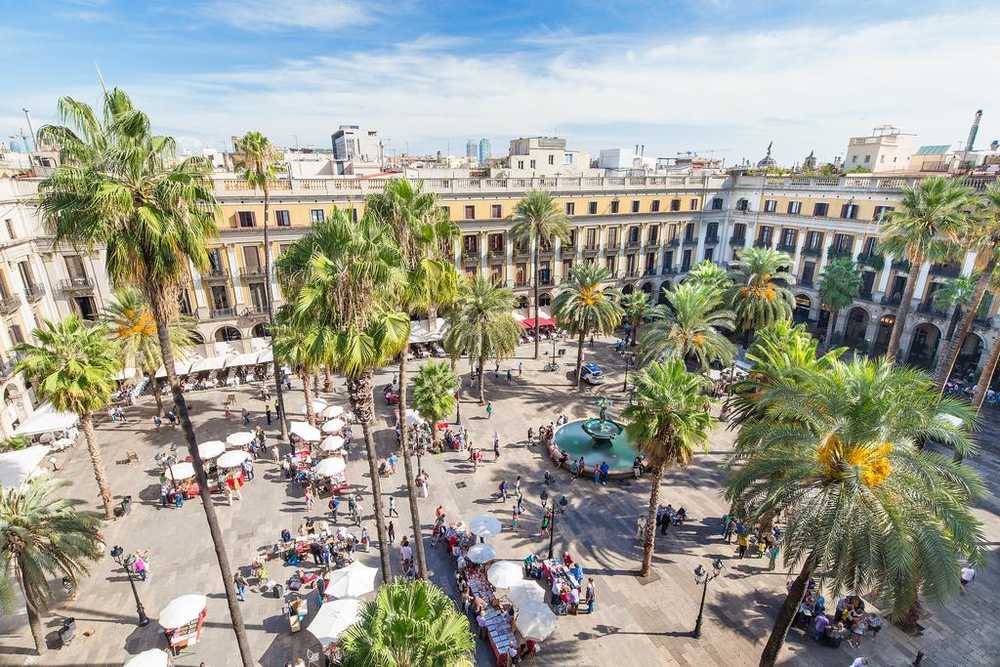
(647, 231)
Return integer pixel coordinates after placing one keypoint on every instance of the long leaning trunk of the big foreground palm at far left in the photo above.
(180, 405)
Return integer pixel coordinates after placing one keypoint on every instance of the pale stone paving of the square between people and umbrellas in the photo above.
(637, 622)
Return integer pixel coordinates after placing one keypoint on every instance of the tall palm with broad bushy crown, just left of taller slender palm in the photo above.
(341, 280)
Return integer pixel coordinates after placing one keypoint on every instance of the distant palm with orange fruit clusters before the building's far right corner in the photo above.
(760, 294)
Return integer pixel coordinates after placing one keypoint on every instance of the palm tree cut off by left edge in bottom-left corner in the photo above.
(42, 537)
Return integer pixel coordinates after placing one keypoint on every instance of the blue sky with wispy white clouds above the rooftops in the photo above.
(674, 75)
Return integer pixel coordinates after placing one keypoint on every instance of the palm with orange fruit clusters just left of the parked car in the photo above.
(584, 307)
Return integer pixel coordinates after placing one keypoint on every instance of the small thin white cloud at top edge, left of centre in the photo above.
(269, 15)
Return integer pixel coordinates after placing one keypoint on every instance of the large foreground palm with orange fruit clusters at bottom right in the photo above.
(865, 507)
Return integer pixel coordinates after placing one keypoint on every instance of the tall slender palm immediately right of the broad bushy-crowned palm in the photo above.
(421, 231)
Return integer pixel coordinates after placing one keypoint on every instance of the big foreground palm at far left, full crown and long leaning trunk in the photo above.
(121, 187)
